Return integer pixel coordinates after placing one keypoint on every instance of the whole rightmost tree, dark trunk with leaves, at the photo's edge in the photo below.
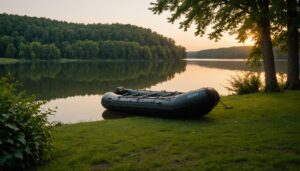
(286, 37)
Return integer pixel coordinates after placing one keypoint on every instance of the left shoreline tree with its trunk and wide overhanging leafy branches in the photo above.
(237, 17)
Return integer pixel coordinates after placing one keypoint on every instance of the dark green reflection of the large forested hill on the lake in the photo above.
(52, 80)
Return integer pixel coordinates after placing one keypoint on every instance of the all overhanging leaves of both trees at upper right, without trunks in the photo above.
(241, 18)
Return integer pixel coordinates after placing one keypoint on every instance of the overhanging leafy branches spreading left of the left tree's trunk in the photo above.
(234, 16)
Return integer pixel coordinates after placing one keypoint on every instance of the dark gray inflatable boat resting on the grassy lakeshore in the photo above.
(161, 103)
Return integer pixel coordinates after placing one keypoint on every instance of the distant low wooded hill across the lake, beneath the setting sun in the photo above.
(237, 52)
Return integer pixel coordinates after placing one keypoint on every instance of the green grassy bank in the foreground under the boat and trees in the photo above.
(261, 132)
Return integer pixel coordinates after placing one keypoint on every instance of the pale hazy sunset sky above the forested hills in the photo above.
(113, 11)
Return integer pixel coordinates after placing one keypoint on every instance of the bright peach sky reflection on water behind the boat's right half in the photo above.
(209, 74)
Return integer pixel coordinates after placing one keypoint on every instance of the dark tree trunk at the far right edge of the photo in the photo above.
(293, 52)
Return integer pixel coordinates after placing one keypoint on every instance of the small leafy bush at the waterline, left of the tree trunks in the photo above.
(248, 82)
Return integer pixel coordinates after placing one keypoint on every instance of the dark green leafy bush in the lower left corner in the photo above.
(24, 130)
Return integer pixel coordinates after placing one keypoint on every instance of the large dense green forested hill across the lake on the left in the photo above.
(40, 38)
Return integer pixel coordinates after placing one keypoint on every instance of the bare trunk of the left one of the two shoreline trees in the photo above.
(267, 50)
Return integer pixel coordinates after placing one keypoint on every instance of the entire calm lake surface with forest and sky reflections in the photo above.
(76, 88)
